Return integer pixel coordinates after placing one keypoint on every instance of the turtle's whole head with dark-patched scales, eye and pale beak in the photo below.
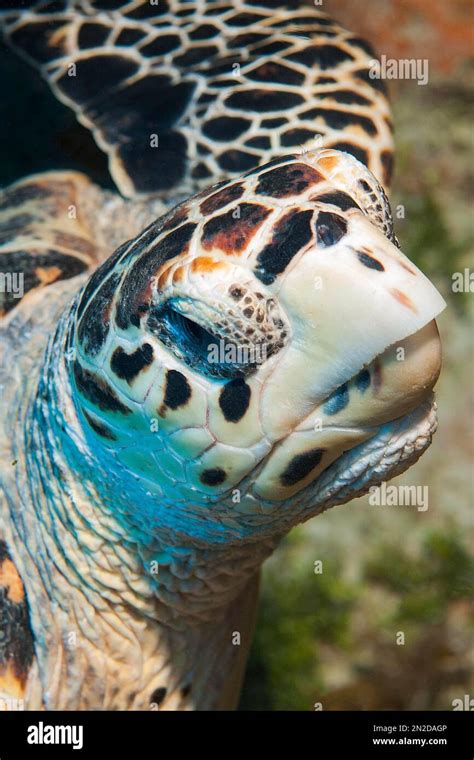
(265, 345)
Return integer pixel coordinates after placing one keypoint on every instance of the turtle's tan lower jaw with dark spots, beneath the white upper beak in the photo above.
(392, 387)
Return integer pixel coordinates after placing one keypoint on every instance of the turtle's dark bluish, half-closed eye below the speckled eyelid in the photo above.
(206, 352)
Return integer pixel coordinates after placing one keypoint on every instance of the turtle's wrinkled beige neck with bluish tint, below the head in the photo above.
(120, 613)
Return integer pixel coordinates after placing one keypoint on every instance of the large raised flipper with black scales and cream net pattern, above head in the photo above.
(180, 96)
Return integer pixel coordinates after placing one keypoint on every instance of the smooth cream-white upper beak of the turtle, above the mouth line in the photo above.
(348, 304)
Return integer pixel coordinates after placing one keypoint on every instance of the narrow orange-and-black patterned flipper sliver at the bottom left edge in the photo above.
(16, 640)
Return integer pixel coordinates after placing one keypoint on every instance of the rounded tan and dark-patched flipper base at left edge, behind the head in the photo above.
(44, 236)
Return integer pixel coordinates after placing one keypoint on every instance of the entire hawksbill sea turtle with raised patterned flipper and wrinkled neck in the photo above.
(231, 370)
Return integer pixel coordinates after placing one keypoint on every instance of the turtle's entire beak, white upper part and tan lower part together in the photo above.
(364, 351)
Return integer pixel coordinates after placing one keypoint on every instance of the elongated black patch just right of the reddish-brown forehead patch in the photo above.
(290, 236)
